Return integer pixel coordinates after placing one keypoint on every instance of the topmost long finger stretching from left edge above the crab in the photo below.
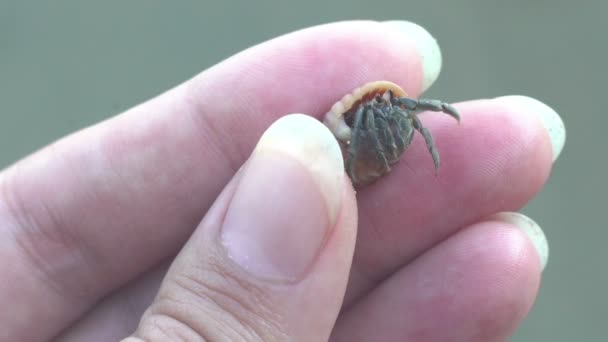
(88, 213)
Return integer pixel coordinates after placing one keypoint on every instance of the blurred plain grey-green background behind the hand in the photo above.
(68, 64)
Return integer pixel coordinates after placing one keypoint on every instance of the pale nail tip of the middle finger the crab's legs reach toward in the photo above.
(550, 119)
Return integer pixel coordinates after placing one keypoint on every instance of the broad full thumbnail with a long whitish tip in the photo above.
(287, 200)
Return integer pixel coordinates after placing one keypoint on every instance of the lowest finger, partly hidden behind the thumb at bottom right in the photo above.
(476, 286)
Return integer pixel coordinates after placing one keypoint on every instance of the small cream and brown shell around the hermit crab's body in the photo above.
(367, 169)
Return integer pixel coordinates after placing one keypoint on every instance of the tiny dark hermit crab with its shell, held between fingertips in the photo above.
(375, 124)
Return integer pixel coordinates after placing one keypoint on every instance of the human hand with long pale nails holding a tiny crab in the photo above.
(91, 225)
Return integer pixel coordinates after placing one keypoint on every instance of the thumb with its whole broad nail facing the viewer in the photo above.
(270, 261)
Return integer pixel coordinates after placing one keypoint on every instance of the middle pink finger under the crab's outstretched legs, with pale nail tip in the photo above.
(496, 160)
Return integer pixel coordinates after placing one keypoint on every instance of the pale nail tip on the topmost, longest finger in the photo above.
(427, 46)
